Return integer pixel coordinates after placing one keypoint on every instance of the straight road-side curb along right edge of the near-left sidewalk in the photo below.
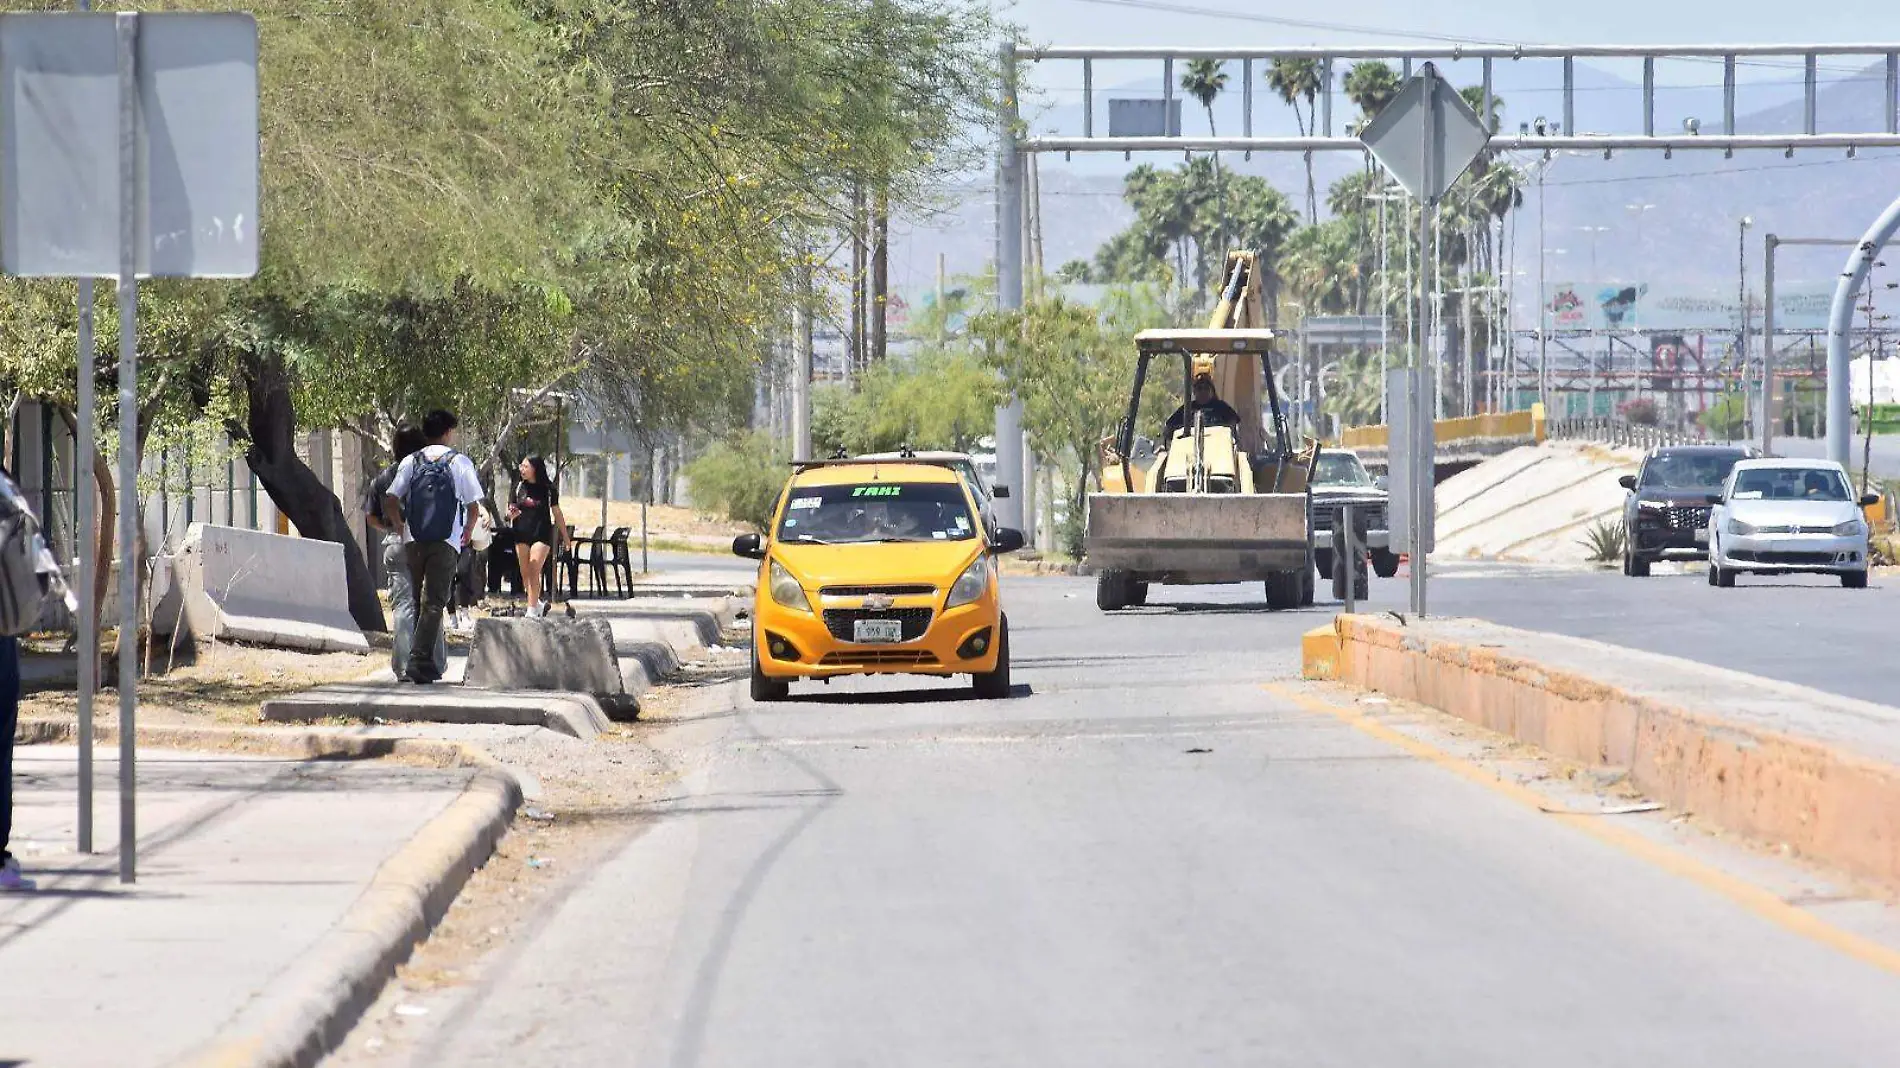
(309, 1012)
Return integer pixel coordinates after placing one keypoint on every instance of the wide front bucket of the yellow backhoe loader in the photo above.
(1188, 539)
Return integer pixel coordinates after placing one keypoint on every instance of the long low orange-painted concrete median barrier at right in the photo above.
(1777, 763)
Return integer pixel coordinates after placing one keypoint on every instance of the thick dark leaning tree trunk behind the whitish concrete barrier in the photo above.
(295, 489)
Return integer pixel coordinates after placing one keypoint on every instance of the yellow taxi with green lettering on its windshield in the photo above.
(877, 567)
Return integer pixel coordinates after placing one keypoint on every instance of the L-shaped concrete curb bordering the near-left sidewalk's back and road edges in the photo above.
(309, 1010)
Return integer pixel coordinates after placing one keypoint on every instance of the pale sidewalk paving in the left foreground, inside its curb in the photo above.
(244, 866)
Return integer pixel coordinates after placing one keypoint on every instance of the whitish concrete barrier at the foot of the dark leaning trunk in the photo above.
(256, 588)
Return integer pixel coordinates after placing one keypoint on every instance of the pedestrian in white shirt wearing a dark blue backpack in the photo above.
(434, 501)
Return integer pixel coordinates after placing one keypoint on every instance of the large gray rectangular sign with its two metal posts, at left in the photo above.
(128, 149)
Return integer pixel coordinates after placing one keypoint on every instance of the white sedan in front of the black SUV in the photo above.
(1785, 518)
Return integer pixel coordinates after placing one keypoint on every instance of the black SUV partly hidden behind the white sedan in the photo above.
(1667, 510)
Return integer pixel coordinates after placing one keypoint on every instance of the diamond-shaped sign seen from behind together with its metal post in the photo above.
(1426, 138)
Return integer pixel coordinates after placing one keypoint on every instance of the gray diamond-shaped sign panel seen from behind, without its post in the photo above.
(1428, 136)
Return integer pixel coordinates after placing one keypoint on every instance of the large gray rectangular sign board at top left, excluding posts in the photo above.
(60, 145)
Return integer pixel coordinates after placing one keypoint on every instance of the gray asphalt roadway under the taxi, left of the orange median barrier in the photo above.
(1145, 858)
